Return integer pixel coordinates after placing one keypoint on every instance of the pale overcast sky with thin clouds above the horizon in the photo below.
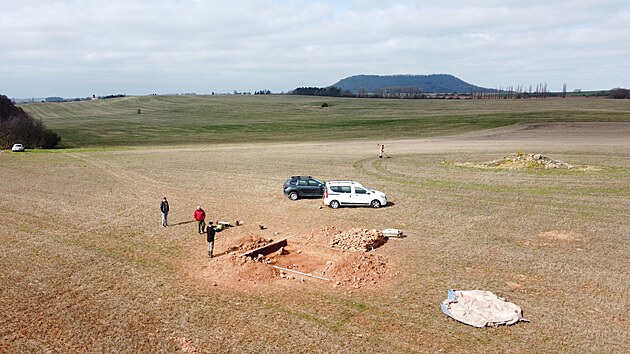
(74, 48)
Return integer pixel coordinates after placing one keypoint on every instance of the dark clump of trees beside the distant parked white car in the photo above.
(17, 126)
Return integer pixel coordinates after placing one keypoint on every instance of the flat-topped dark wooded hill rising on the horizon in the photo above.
(434, 83)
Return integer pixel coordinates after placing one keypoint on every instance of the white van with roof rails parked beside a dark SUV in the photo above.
(350, 193)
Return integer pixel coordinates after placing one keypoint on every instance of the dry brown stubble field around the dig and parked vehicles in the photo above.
(86, 266)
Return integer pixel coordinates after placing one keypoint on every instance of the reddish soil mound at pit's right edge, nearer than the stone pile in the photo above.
(357, 269)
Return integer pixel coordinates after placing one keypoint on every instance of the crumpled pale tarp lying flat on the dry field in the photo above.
(481, 308)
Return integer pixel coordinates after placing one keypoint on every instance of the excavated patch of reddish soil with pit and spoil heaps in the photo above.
(343, 260)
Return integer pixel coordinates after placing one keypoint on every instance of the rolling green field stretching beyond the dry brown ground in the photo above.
(184, 120)
